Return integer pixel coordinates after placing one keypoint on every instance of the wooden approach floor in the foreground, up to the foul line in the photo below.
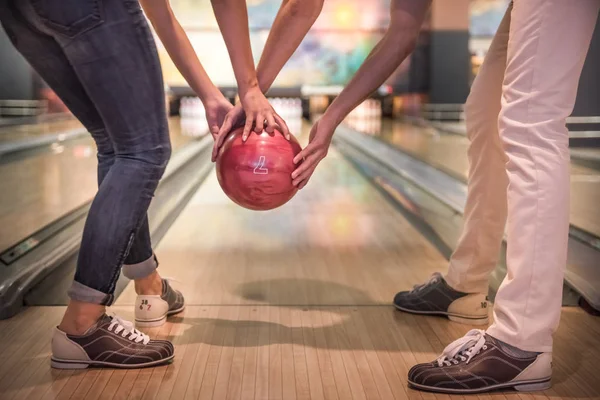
(280, 352)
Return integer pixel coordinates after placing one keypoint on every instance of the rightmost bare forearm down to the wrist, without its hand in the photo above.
(397, 43)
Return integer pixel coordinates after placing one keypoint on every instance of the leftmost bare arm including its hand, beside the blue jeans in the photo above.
(182, 53)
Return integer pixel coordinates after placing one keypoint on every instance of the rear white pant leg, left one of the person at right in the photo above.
(477, 251)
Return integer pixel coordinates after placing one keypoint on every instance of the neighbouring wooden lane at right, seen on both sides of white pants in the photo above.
(449, 153)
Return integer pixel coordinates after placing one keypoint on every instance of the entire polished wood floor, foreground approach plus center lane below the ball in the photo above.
(288, 304)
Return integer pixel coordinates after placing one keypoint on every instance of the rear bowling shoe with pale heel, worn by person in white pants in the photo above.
(436, 297)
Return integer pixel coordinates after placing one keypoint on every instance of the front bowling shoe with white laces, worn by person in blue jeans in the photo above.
(112, 342)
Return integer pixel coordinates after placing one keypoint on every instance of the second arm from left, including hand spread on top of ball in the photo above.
(232, 17)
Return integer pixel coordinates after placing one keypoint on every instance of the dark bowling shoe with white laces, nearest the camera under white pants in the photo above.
(478, 363)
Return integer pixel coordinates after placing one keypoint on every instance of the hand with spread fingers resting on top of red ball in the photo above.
(258, 111)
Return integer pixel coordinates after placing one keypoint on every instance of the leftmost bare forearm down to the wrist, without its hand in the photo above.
(179, 47)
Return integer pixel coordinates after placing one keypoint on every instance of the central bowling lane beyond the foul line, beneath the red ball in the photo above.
(337, 242)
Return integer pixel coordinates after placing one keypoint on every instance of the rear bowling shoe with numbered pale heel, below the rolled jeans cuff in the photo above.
(152, 310)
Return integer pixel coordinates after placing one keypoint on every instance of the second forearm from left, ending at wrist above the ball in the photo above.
(232, 17)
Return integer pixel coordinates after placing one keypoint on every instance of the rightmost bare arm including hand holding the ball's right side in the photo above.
(397, 43)
